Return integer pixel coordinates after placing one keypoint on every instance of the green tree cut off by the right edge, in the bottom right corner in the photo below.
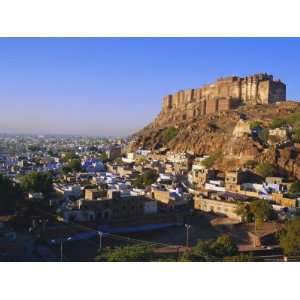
(289, 238)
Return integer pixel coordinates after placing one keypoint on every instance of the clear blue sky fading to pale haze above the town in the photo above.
(114, 86)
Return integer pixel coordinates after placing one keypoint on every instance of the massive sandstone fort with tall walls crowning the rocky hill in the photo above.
(224, 94)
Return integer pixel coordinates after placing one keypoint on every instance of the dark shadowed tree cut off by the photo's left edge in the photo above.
(10, 194)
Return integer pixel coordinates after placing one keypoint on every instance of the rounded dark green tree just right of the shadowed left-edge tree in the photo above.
(36, 182)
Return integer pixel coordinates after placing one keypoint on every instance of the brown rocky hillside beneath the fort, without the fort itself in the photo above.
(227, 136)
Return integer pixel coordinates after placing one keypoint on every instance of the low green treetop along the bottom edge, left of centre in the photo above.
(134, 253)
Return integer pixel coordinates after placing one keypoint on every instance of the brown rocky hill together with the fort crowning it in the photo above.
(208, 121)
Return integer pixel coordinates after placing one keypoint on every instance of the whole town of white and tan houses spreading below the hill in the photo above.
(105, 190)
